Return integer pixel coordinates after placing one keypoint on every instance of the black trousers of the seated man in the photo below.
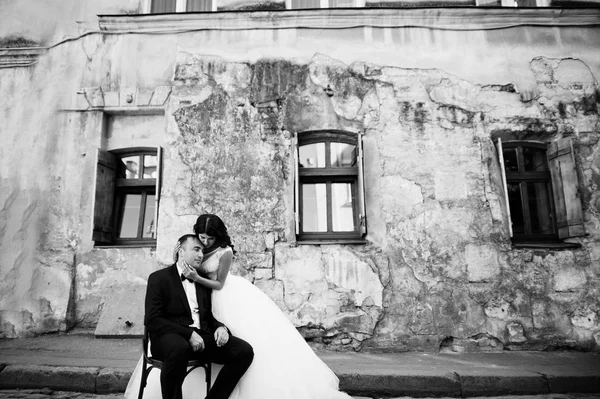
(175, 351)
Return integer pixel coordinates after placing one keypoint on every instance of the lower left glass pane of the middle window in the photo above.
(314, 207)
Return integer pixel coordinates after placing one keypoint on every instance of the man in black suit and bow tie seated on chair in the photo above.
(182, 327)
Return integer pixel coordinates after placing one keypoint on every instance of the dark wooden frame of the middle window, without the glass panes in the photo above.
(330, 175)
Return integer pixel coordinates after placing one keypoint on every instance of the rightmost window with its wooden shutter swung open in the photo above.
(541, 190)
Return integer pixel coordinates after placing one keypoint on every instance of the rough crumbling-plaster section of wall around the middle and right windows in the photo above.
(440, 269)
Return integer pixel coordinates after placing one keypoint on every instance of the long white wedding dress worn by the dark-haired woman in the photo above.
(284, 366)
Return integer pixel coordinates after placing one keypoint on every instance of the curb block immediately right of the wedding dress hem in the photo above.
(403, 385)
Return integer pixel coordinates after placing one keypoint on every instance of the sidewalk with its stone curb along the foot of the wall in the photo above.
(86, 364)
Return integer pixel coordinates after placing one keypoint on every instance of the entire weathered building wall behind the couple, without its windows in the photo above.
(439, 270)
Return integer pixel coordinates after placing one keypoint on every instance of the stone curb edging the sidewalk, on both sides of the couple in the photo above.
(99, 380)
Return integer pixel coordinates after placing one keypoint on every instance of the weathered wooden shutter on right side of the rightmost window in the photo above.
(565, 187)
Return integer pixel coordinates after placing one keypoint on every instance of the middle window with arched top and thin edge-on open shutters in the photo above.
(329, 187)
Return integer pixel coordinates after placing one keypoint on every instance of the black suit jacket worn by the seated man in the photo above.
(167, 308)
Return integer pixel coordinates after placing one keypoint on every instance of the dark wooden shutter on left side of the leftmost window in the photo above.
(106, 167)
